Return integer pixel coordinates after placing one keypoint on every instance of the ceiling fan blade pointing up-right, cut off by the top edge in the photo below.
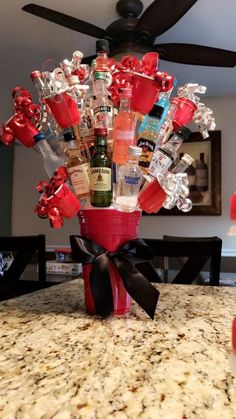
(161, 15)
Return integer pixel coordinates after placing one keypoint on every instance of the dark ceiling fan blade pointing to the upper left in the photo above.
(65, 20)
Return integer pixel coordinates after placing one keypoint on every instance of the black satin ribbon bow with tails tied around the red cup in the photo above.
(126, 259)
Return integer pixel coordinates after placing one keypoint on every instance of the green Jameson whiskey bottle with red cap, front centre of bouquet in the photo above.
(100, 171)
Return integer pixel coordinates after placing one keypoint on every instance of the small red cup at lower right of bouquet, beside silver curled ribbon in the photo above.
(151, 198)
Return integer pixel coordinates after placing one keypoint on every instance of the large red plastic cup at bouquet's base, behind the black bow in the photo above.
(109, 228)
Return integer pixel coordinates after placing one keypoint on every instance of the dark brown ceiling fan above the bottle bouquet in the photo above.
(137, 35)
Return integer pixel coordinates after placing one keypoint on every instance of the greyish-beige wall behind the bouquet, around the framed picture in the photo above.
(28, 170)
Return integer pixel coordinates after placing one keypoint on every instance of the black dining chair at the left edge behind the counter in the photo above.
(23, 250)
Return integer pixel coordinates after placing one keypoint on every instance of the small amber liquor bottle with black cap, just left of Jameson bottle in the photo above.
(78, 169)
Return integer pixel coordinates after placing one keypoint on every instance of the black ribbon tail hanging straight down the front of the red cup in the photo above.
(100, 285)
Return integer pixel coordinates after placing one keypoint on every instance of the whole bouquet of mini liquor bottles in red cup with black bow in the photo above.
(109, 135)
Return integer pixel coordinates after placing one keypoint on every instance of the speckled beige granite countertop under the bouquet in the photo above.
(57, 362)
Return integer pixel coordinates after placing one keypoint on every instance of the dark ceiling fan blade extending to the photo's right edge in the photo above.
(196, 54)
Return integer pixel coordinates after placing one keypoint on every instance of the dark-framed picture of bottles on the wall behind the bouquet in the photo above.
(205, 192)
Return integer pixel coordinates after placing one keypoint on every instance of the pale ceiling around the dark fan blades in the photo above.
(27, 41)
